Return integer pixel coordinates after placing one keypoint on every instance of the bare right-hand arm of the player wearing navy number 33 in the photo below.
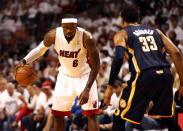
(177, 58)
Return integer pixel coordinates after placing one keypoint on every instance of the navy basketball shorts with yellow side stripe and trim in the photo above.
(150, 85)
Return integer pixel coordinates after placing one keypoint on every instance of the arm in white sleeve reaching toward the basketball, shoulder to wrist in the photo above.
(34, 54)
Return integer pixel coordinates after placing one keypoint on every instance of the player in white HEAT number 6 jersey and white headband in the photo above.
(76, 77)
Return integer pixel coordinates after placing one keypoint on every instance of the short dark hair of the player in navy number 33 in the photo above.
(130, 14)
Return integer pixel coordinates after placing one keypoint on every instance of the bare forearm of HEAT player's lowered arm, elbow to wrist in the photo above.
(95, 65)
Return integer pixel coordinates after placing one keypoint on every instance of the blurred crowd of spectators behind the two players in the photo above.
(23, 24)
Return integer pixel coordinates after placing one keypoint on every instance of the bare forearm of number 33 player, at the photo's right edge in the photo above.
(178, 60)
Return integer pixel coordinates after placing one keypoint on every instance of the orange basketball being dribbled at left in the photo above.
(25, 75)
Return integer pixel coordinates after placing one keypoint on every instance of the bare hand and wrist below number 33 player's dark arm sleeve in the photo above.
(107, 95)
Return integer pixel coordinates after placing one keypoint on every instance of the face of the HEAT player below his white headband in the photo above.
(69, 29)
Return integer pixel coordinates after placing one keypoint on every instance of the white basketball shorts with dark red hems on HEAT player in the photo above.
(66, 90)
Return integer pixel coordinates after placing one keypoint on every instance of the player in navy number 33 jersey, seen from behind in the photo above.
(151, 79)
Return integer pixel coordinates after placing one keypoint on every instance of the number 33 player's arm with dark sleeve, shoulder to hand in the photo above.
(120, 43)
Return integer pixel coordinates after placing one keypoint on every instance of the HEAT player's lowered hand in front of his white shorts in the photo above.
(84, 96)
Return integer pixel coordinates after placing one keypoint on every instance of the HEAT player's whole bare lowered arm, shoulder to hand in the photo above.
(89, 44)
